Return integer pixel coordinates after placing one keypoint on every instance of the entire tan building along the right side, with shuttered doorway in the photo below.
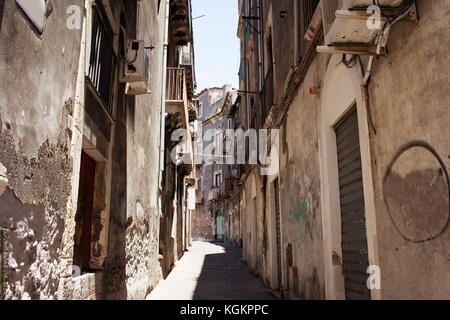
(363, 183)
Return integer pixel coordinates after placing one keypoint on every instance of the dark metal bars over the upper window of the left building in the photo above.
(102, 60)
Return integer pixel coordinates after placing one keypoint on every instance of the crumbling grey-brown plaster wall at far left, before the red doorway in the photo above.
(37, 92)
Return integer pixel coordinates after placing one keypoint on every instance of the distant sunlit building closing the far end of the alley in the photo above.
(214, 175)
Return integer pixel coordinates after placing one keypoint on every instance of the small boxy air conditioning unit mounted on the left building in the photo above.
(136, 65)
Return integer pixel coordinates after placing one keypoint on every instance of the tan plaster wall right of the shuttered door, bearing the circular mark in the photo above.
(410, 102)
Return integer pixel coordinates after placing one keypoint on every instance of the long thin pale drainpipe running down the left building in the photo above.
(163, 96)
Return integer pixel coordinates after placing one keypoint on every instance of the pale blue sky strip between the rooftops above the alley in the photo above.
(216, 44)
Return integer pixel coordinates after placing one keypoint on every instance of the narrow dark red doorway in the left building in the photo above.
(83, 218)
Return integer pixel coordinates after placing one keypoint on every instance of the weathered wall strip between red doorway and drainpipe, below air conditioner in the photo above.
(132, 268)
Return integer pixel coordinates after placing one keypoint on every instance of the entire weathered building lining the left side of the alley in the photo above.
(87, 188)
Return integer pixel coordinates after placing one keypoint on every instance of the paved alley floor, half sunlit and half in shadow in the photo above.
(210, 271)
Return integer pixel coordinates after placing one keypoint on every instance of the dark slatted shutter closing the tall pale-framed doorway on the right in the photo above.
(354, 236)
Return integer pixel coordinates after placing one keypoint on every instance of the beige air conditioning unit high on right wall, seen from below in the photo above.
(343, 26)
